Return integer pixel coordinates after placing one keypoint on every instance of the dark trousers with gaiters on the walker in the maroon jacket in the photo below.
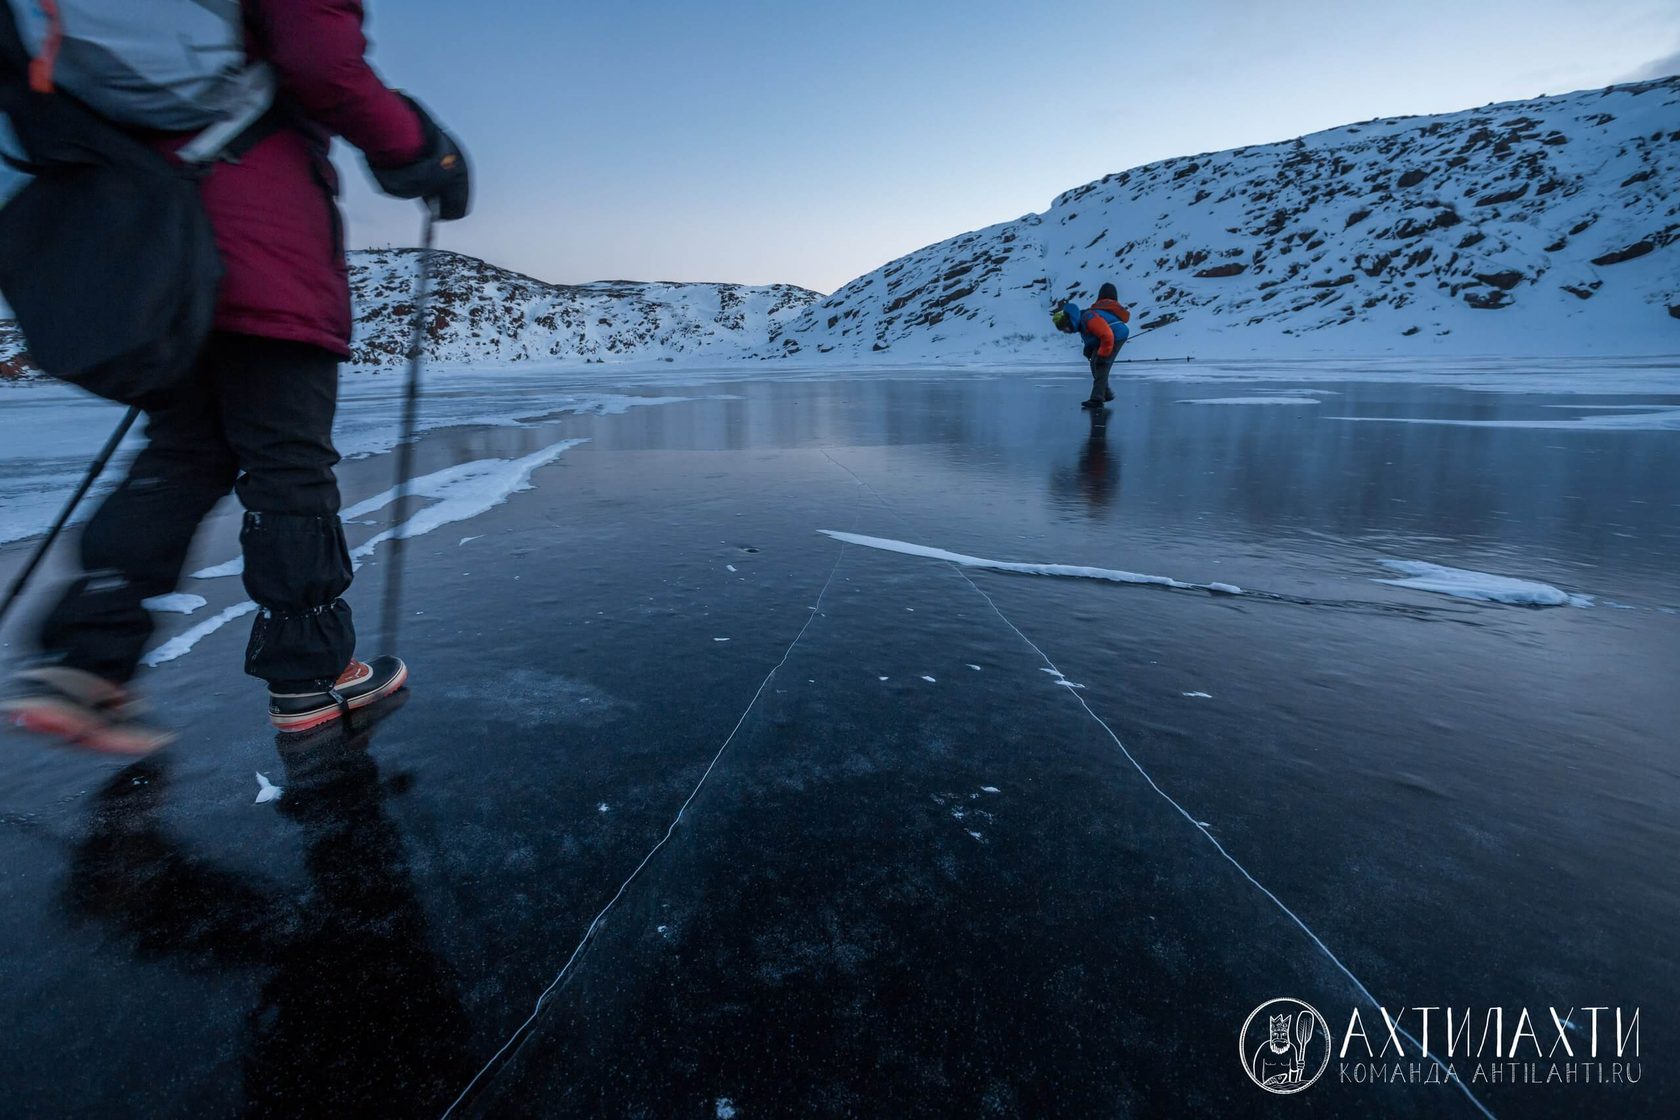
(255, 417)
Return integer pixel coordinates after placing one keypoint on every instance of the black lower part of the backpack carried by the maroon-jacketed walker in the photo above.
(107, 254)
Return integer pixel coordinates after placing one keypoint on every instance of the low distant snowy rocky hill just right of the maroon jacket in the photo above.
(486, 315)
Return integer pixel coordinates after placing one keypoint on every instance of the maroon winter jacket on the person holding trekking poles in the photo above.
(275, 214)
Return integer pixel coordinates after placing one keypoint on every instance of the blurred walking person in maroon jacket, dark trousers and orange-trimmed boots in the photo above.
(256, 416)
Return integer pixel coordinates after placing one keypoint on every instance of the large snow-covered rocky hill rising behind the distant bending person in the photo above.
(1531, 228)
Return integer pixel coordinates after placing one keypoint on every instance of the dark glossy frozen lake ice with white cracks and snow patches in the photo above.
(992, 835)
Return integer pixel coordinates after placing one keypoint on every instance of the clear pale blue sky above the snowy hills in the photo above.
(757, 142)
